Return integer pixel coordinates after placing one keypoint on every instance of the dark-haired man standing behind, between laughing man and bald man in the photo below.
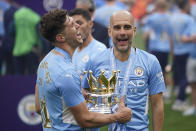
(90, 47)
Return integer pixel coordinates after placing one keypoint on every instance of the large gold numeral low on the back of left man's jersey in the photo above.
(45, 115)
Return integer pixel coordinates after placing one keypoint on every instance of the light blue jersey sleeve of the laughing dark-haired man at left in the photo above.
(69, 88)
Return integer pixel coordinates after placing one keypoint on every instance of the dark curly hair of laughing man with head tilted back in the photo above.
(52, 23)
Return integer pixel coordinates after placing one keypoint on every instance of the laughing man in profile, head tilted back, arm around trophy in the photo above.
(58, 94)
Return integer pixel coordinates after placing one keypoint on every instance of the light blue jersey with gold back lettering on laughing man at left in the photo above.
(59, 89)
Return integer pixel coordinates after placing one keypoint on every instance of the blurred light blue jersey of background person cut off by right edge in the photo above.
(189, 32)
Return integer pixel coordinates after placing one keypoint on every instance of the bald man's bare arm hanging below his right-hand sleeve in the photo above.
(157, 111)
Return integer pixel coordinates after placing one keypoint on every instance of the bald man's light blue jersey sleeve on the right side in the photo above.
(156, 79)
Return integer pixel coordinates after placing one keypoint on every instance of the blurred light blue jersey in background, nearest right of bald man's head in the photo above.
(158, 25)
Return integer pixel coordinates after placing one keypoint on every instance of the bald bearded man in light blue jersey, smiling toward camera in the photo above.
(140, 75)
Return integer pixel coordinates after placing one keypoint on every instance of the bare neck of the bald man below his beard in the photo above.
(122, 56)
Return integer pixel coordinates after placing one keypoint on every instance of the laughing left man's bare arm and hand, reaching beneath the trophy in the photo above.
(88, 119)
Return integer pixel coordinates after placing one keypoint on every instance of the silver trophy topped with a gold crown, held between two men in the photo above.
(102, 96)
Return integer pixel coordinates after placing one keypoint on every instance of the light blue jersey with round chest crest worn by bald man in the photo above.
(144, 78)
